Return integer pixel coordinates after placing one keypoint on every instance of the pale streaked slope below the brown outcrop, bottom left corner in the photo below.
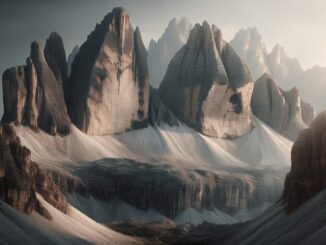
(77, 228)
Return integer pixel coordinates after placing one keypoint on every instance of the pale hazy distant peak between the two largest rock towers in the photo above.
(160, 52)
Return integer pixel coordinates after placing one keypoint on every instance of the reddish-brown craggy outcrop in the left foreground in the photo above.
(20, 178)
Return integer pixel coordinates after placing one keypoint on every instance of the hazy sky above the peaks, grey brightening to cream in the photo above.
(298, 25)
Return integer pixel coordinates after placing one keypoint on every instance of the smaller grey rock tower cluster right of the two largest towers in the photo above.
(280, 109)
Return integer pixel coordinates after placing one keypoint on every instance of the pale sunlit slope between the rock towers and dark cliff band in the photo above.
(179, 145)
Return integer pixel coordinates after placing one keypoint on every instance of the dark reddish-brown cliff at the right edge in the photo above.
(308, 170)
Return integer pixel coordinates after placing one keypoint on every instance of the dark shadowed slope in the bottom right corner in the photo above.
(304, 226)
